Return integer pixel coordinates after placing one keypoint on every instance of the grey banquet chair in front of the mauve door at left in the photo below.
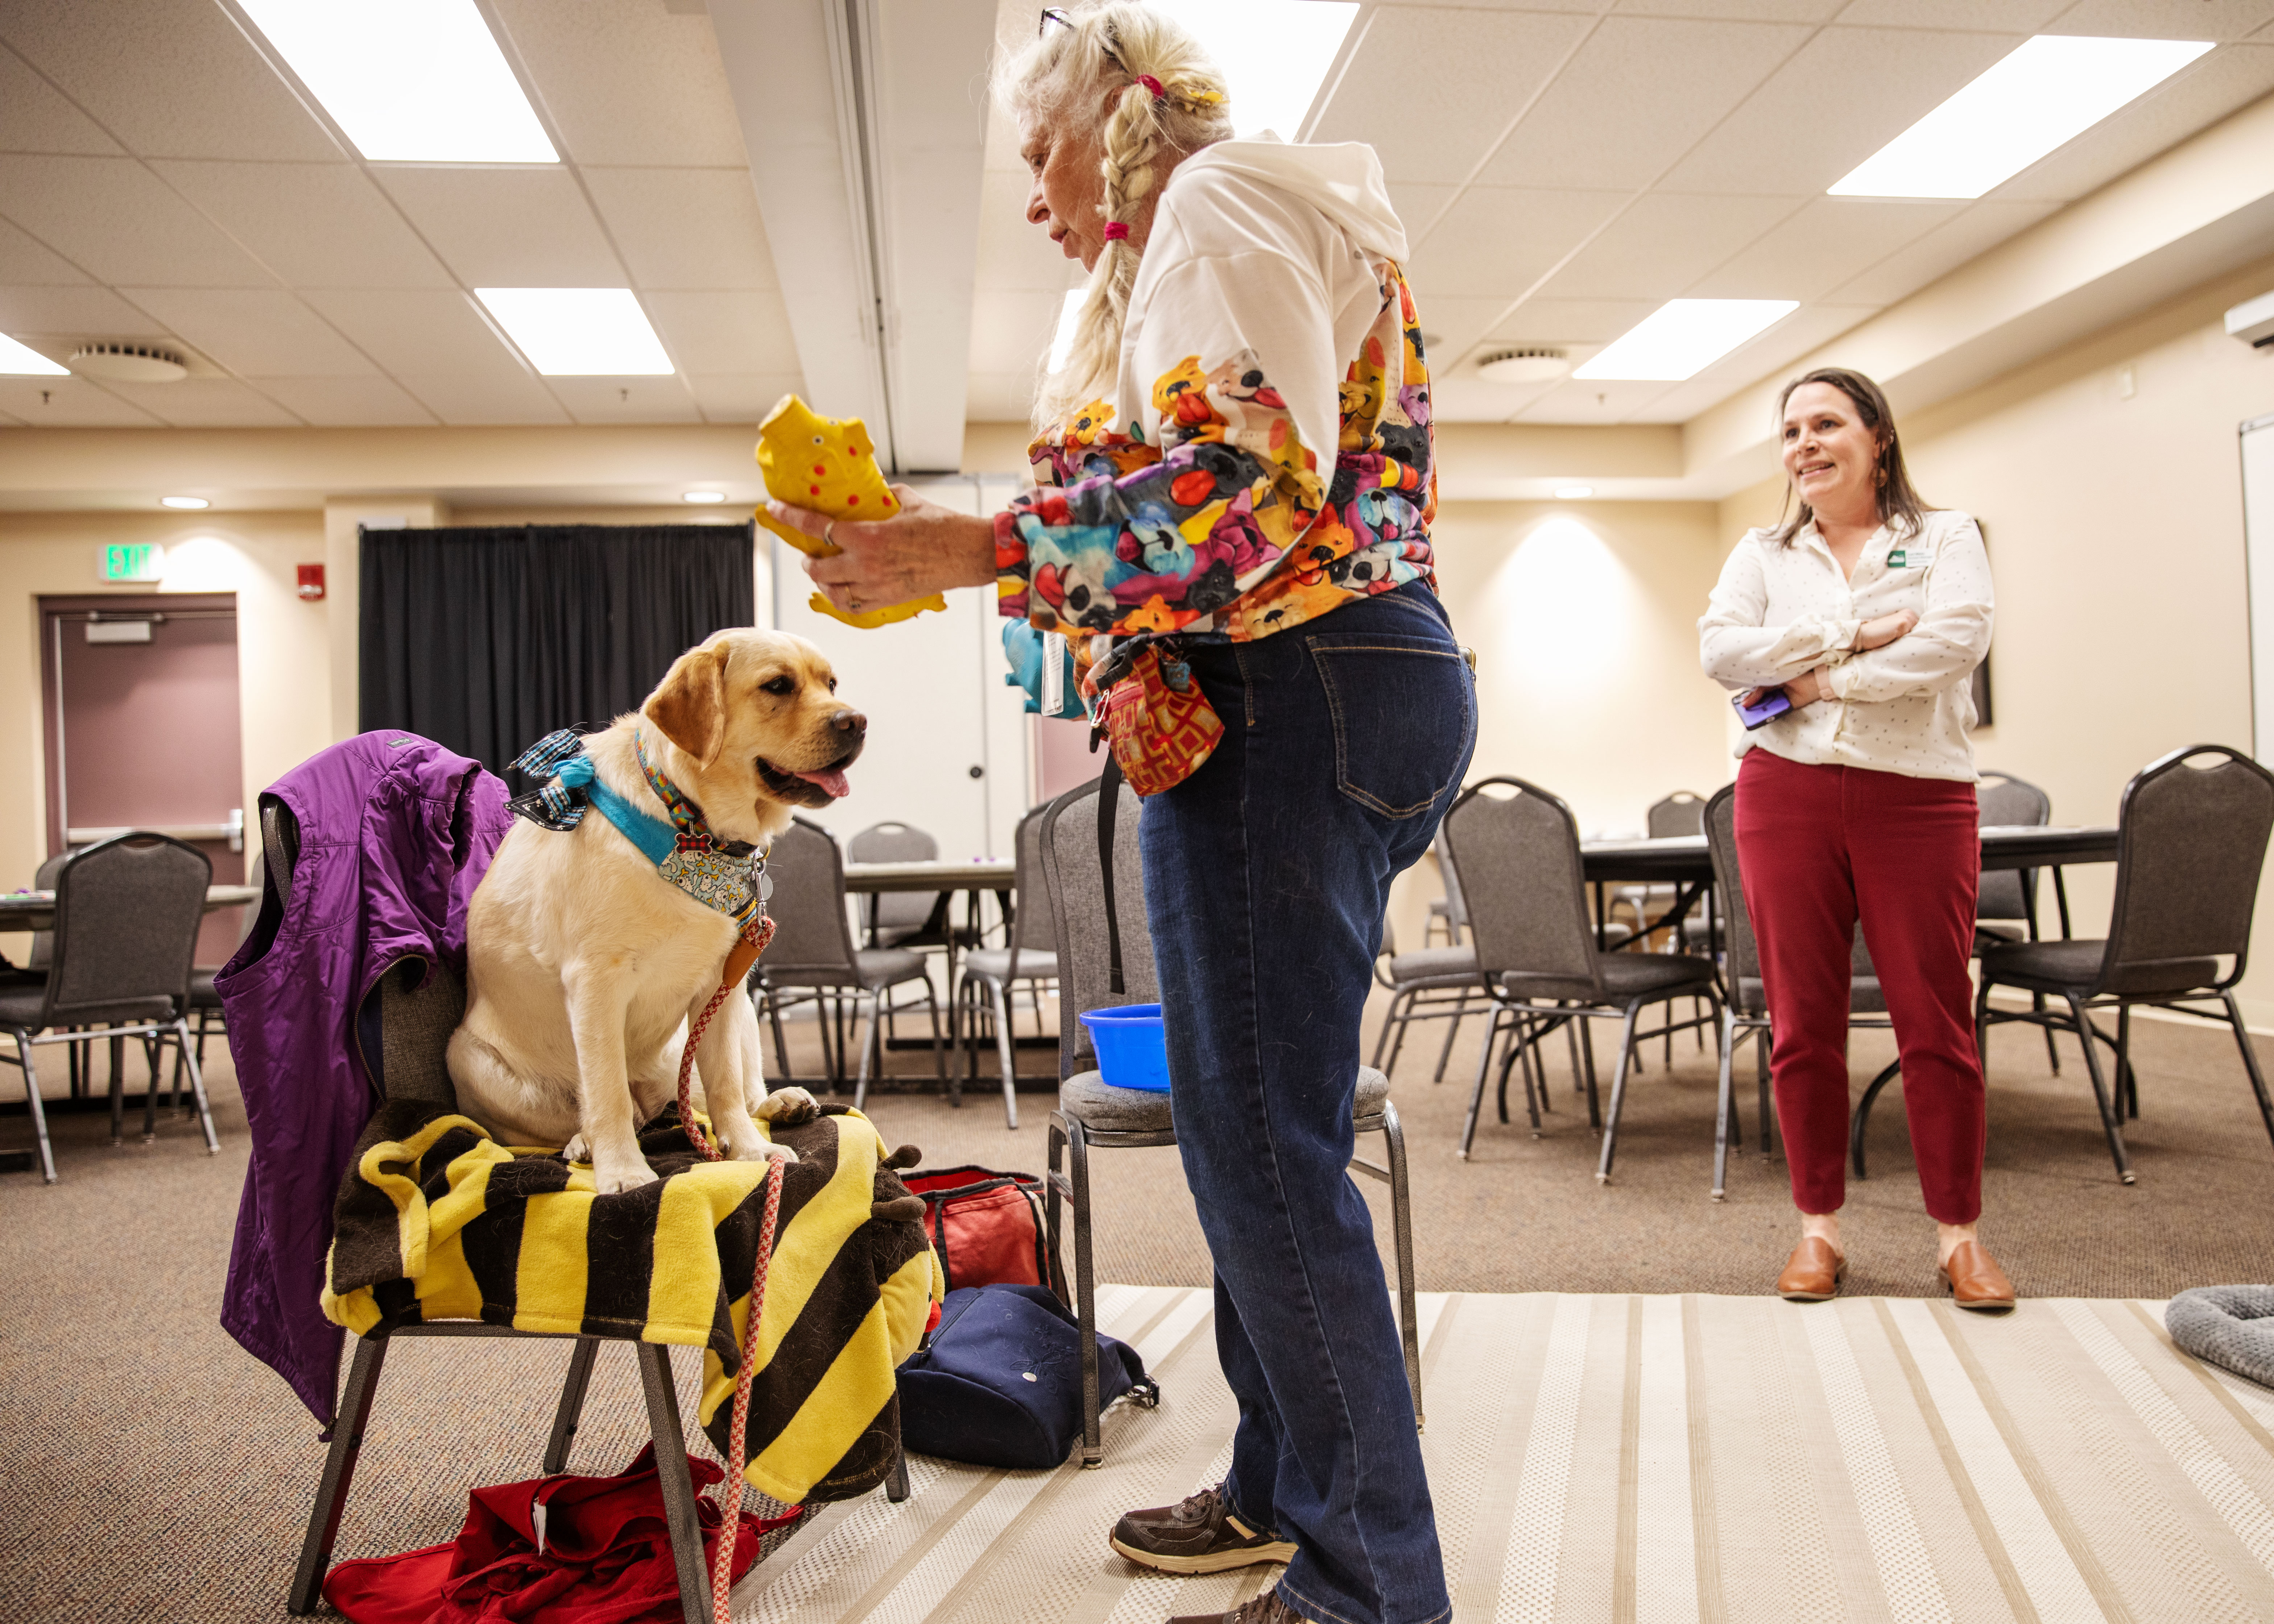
(126, 927)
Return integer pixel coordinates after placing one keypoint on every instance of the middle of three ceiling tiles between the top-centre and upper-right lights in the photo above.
(1638, 97)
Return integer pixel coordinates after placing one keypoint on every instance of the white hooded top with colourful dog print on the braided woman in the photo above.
(1197, 502)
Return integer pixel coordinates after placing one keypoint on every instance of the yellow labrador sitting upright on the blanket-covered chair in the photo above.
(586, 963)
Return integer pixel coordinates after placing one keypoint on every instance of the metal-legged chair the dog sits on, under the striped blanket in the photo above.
(404, 1034)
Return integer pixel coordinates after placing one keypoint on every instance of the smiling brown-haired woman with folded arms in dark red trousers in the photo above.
(1870, 613)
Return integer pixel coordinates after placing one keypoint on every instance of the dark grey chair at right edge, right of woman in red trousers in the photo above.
(2191, 845)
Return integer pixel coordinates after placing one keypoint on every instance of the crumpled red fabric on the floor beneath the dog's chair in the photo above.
(606, 1557)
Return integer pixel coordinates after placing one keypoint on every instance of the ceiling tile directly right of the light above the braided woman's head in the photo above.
(1484, 67)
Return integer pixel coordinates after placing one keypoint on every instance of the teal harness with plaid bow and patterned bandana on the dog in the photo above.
(724, 875)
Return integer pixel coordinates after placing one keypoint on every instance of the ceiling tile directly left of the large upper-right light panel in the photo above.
(1841, 99)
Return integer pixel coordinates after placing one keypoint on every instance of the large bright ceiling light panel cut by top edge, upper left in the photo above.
(410, 81)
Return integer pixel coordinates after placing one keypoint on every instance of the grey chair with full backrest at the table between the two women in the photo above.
(1536, 956)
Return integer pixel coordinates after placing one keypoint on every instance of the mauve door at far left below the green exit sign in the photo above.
(142, 729)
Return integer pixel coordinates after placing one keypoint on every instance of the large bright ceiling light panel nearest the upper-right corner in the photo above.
(2048, 92)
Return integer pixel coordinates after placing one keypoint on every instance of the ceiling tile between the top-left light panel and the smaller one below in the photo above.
(506, 226)
